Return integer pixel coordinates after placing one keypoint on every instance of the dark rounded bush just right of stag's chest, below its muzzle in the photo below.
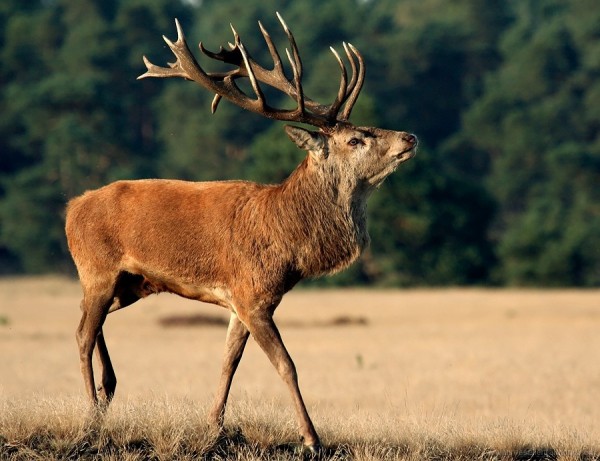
(429, 227)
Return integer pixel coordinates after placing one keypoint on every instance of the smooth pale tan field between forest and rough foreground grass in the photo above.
(478, 362)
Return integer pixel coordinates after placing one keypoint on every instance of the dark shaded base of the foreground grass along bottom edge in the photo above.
(232, 444)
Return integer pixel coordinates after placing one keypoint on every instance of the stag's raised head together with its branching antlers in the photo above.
(358, 156)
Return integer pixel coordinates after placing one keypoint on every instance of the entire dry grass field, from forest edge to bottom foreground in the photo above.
(406, 374)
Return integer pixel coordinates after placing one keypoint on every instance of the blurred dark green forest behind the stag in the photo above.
(503, 94)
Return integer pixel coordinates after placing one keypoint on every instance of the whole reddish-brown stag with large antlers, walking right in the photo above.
(236, 244)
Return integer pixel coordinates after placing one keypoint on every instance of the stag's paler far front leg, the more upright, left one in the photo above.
(237, 335)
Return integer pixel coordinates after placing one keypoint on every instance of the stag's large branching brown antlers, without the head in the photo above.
(224, 86)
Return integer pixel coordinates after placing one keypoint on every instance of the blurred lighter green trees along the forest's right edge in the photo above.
(539, 129)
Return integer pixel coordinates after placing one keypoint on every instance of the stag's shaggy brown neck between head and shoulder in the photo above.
(324, 217)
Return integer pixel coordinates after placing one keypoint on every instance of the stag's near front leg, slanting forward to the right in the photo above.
(266, 334)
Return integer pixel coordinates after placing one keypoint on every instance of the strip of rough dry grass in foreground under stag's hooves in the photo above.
(166, 430)
